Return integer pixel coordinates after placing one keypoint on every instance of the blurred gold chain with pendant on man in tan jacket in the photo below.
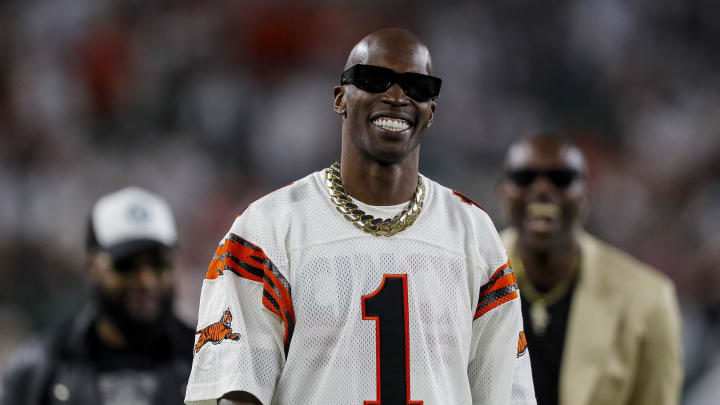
(540, 302)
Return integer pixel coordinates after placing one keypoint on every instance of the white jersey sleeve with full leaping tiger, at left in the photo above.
(245, 319)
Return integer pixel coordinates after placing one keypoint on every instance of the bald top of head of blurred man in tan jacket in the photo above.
(545, 147)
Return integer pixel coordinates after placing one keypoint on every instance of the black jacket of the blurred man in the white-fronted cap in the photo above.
(58, 369)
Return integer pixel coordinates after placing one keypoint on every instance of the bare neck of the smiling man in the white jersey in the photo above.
(377, 183)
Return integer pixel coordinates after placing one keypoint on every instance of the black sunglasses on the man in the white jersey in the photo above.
(376, 79)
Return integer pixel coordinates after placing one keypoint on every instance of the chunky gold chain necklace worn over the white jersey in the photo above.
(368, 223)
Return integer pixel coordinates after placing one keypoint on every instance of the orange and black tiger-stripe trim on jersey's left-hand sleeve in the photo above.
(249, 261)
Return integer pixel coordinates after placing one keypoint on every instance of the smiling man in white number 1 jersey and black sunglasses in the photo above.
(365, 282)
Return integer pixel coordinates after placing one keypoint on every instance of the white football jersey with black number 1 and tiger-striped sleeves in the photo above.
(301, 307)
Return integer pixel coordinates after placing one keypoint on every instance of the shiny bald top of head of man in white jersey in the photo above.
(396, 42)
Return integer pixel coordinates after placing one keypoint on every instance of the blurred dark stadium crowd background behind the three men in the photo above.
(213, 104)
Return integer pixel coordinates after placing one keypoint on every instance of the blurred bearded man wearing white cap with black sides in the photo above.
(126, 346)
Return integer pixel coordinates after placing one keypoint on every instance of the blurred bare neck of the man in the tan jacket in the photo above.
(549, 267)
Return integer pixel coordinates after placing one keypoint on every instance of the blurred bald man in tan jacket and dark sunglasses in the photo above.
(602, 328)
